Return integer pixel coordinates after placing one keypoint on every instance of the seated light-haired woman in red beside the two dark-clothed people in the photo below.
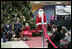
(26, 31)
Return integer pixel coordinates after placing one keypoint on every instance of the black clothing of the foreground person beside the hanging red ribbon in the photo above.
(56, 39)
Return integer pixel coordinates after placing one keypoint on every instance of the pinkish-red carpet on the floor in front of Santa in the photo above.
(36, 42)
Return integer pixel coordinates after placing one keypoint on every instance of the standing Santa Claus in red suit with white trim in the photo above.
(40, 19)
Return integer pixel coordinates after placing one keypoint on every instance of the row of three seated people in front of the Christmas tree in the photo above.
(16, 30)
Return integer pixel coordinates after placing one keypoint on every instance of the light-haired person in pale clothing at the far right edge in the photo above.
(67, 37)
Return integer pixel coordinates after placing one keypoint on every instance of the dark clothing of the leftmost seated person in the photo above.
(7, 27)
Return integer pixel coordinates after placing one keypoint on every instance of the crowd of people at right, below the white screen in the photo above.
(61, 29)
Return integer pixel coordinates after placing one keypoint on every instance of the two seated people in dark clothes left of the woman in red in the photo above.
(9, 32)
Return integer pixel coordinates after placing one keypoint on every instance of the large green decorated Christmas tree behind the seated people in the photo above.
(10, 8)
